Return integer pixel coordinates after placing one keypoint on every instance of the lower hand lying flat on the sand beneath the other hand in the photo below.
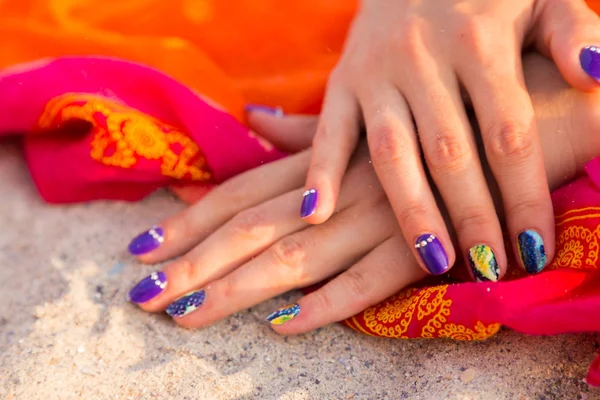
(244, 244)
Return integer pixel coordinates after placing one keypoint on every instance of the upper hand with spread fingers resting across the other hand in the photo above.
(406, 59)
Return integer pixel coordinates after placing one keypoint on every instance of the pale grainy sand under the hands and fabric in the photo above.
(67, 331)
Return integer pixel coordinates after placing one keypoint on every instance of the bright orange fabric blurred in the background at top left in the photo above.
(264, 52)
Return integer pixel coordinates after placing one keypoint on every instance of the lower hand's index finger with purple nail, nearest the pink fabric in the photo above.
(179, 233)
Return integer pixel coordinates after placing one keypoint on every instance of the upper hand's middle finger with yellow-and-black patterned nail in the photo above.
(452, 159)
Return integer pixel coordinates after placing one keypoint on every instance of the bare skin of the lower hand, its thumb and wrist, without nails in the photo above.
(243, 243)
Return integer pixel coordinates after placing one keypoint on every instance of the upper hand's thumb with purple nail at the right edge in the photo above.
(570, 35)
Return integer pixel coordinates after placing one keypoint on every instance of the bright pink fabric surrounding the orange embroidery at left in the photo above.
(60, 164)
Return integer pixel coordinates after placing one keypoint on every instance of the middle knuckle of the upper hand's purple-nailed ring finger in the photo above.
(388, 146)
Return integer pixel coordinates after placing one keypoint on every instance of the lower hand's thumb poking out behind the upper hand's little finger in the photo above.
(290, 133)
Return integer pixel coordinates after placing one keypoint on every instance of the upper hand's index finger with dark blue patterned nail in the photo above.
(507, 122)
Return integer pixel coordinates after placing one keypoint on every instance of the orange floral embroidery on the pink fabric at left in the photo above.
(122, 136)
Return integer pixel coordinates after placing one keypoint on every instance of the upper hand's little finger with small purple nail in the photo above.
(333, 144)
